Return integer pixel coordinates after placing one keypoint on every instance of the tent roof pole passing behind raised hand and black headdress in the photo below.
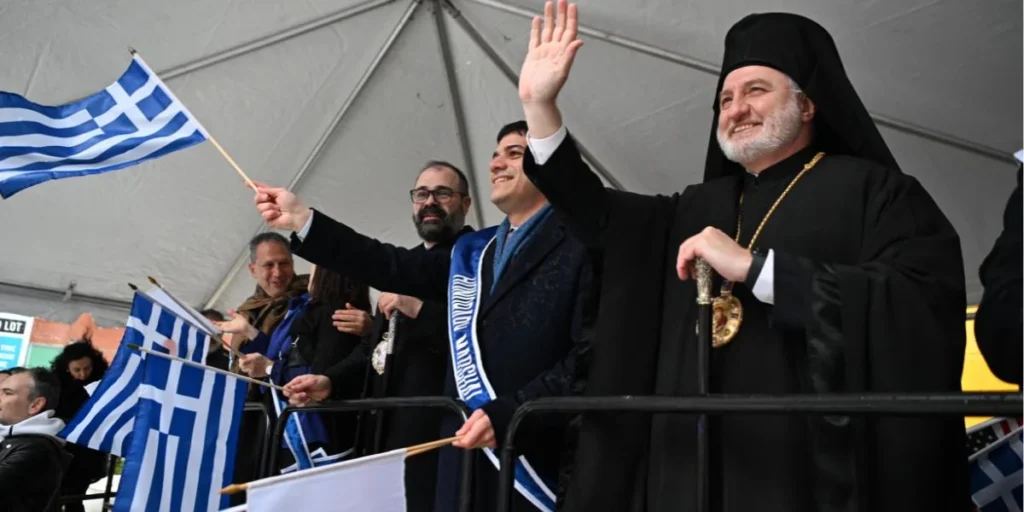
(713, 69)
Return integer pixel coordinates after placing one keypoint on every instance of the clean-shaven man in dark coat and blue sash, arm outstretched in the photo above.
(518, 296)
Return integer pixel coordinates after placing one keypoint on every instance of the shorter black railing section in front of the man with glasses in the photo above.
(380, 404)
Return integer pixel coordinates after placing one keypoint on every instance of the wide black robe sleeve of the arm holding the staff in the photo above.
(895, 320)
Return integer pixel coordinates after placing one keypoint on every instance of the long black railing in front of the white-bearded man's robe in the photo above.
(895, 405)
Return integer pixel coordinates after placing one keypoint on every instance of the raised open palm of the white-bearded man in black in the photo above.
(552, 50)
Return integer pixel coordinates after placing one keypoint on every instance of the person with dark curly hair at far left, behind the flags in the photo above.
(77, 366)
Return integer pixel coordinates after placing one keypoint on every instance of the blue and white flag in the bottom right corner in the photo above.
(997, 477)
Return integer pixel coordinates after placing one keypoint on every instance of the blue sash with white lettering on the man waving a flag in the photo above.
(471, 378)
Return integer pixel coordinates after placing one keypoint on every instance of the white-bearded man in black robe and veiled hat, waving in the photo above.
(842, 275)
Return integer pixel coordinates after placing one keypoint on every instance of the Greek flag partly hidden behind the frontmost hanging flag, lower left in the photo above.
(107, 420)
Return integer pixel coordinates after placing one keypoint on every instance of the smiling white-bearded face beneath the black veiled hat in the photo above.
(764, 119)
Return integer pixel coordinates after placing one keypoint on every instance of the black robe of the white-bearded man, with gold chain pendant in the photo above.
(869, 297)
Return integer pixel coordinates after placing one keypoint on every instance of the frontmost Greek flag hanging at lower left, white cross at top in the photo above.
(183, 449)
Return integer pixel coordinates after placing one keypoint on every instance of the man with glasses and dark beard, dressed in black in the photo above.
(441, 201)
